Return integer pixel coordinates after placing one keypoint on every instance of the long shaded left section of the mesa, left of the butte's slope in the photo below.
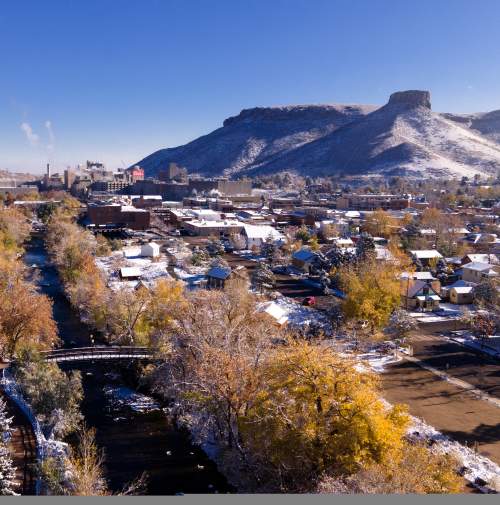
(254, 136)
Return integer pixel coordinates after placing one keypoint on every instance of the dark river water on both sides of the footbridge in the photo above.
(132, 429)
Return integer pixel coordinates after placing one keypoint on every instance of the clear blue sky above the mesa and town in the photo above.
(115, 80)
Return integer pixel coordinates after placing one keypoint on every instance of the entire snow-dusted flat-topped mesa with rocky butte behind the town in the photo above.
(403, 137)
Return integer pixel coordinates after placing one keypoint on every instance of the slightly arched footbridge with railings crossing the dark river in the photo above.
(98, 352)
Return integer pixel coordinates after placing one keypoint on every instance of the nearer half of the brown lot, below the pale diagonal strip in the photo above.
(448, 408)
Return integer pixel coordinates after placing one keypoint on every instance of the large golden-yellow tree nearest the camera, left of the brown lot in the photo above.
(316, 413)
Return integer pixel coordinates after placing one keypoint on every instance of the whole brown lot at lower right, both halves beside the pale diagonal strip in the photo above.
(445, 406)
